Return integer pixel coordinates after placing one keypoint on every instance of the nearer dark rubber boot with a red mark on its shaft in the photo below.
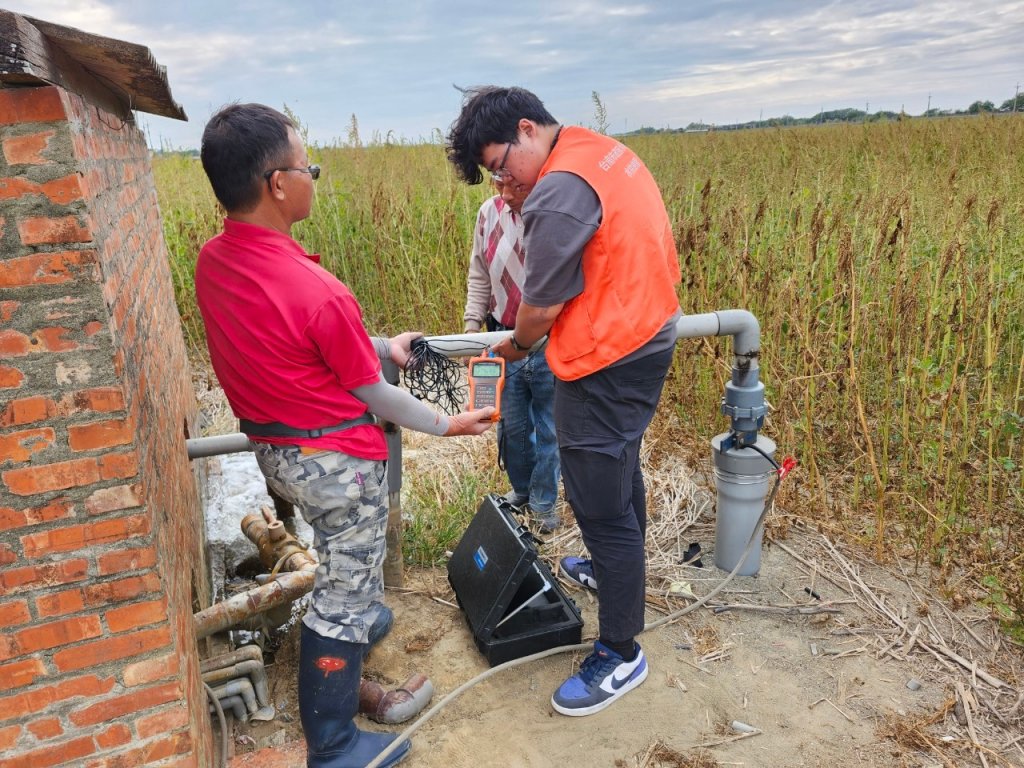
(329, 699)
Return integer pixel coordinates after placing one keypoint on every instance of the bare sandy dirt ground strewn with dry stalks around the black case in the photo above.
(822, 689)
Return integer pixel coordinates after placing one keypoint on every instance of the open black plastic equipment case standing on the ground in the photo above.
(513, 604)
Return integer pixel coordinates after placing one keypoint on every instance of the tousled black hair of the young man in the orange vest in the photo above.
(490, 115)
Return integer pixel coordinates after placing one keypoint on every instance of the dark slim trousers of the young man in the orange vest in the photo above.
(601, 420)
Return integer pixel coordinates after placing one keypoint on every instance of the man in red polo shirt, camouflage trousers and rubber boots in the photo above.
(289, 348)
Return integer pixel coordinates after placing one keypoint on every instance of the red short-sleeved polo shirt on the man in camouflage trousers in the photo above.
(286, 338)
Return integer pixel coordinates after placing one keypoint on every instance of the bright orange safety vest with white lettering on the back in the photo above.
(630, 267)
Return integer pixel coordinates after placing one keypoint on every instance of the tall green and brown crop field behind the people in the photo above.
(885, 264)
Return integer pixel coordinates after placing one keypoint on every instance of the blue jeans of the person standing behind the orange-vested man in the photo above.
(527, 432)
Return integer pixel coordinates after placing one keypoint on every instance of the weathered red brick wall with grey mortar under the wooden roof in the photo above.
(102, 540)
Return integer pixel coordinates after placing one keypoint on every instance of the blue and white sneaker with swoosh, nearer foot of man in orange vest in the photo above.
(604, 677)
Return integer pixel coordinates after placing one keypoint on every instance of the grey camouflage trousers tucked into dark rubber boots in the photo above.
(345, 499)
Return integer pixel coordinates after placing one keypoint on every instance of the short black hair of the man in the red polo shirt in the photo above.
(240, 144)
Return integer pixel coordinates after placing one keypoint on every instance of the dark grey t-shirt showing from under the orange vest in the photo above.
(561, 217)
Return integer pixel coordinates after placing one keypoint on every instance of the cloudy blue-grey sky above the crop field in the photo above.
(663, 64)
